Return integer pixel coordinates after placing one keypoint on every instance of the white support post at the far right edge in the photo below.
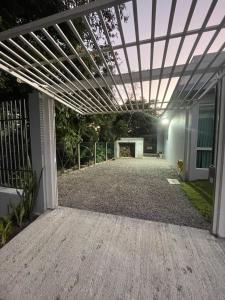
(219, 205)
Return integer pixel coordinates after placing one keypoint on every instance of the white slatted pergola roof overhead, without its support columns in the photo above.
(35, 54)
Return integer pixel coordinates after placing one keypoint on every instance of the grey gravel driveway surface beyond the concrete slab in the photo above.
(131, 187)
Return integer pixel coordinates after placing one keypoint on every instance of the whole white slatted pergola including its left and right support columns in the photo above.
(51, 54)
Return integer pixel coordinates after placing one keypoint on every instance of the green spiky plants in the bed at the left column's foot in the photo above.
(20, 215)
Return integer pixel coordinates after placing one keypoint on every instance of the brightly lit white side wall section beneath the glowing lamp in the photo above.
(174, 138)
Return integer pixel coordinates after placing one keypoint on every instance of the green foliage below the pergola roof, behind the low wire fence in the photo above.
(73, 129)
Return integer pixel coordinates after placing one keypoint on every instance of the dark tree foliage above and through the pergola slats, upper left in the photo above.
(17, 12)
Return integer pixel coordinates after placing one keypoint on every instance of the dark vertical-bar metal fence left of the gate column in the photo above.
(14, 142)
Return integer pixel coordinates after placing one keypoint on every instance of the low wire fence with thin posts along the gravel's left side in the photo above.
(90, 153)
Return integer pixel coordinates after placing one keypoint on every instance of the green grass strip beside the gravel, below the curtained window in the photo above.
(200, 194)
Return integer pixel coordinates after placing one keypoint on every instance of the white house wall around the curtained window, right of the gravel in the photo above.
(180, 139)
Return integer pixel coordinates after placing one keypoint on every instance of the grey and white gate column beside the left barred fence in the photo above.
(43, 149)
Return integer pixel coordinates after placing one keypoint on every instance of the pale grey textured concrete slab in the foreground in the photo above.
(82, 255)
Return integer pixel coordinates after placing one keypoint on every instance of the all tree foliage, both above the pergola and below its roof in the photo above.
(72, 128)
